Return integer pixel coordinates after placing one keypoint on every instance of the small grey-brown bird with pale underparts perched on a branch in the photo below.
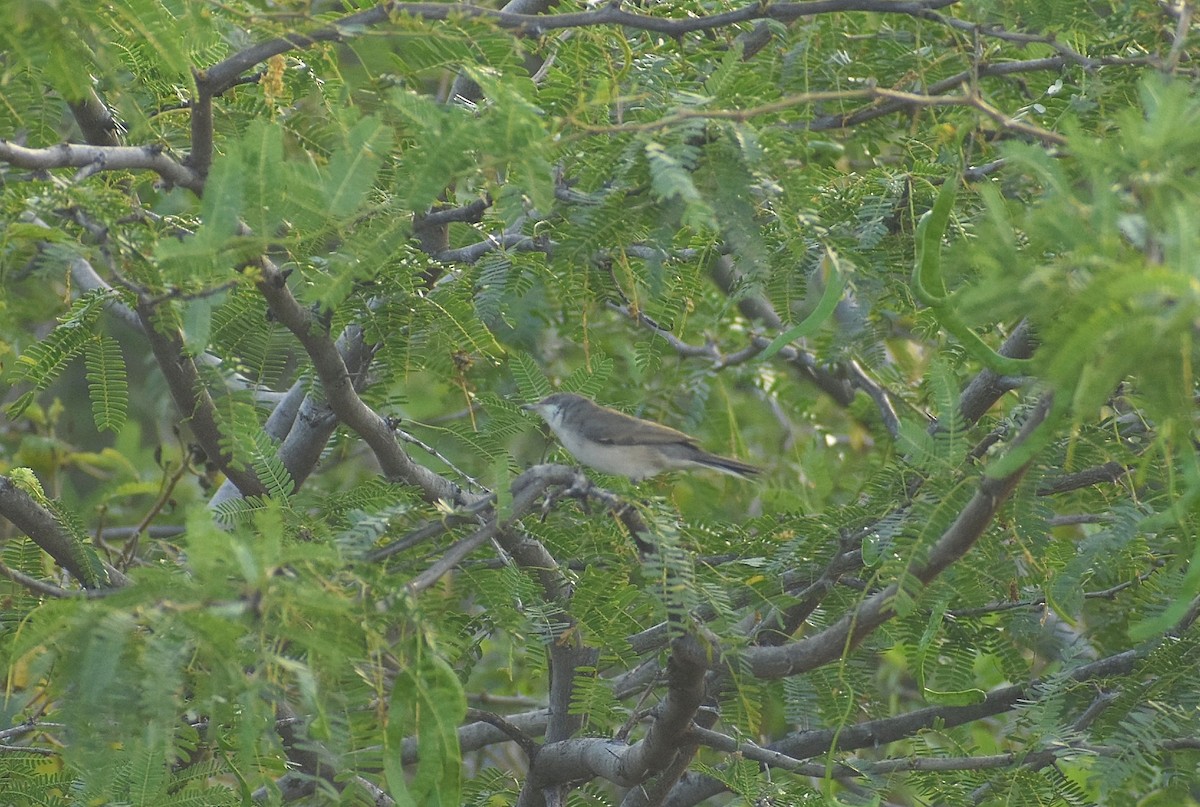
(619, 444)
